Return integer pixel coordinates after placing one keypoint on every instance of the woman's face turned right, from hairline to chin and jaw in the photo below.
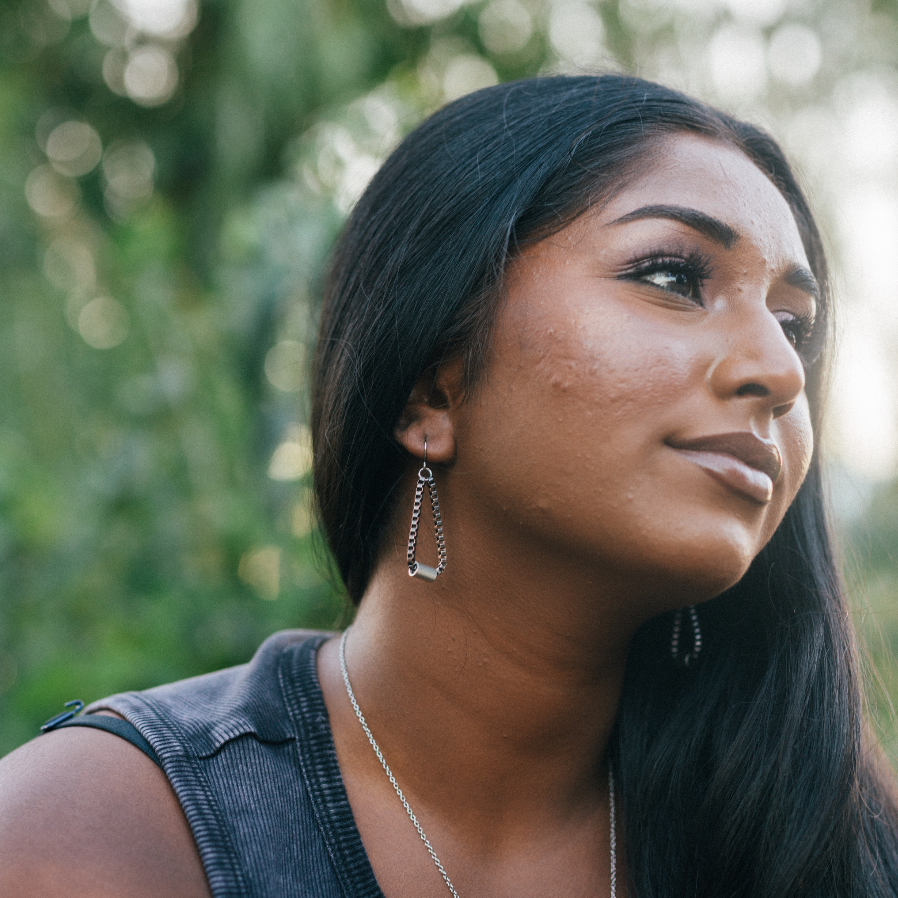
(644, 406)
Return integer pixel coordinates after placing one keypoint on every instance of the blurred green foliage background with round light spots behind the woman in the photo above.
(154, 515)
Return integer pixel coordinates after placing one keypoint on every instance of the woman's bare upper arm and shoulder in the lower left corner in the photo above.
(85, 813)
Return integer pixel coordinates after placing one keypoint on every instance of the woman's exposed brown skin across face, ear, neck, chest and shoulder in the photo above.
(570, 519)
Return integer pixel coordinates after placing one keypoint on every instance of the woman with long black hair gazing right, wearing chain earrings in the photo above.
(590, 314)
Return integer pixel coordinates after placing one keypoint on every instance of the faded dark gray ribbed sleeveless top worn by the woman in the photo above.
(249, 752)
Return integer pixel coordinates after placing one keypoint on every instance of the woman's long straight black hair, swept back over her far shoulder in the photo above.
(748, 775)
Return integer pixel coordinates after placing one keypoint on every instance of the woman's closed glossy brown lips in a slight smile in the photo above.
(741, 461)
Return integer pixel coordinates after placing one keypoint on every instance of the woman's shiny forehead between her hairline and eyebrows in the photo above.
(700, 173)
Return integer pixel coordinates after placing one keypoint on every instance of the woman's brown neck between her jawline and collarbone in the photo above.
(492, 691)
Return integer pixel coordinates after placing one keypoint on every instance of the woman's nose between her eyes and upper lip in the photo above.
(758, 363)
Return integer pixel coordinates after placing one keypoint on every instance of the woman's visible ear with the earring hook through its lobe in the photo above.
(429, 414)
